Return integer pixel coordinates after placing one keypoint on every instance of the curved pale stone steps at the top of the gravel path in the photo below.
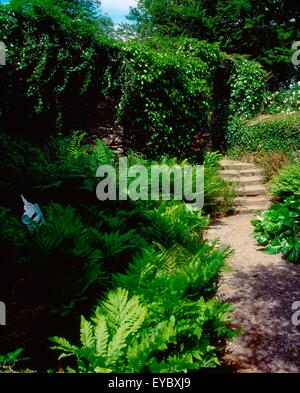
(252, 194)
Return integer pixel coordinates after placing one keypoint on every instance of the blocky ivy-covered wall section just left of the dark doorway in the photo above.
(167, 96)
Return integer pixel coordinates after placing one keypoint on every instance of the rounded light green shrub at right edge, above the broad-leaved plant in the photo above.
(287, 181)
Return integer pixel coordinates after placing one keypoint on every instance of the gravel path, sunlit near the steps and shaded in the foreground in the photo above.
(262, 289)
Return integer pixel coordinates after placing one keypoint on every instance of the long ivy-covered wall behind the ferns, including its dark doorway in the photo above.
(60, 66)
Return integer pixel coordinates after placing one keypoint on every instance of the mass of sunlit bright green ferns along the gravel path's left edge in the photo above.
(169, 324)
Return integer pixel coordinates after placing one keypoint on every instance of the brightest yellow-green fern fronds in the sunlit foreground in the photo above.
(117, 319)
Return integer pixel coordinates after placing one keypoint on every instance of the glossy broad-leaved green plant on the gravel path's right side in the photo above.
(278, 229)
